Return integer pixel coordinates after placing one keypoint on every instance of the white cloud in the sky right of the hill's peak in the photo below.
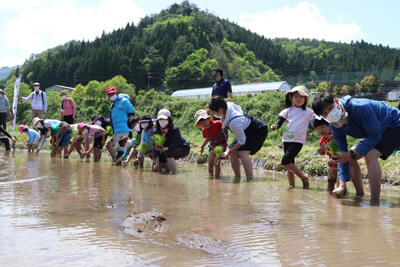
(302, 21)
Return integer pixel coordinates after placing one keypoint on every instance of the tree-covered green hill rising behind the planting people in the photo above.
(178, 47)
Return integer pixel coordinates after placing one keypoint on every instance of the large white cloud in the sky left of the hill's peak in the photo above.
(43, 24)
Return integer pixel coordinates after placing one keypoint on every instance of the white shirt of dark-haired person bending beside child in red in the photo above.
(237, 125)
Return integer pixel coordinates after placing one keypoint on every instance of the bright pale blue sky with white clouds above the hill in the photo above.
(32, 26)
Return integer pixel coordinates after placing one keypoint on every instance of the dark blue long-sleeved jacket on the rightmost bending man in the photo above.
(367, 119)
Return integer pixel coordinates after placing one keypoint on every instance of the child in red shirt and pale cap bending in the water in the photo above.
(213, 134)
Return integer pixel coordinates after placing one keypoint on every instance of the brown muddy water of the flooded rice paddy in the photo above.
(56, 212)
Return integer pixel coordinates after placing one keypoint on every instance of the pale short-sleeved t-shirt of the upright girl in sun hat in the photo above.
(297, 120)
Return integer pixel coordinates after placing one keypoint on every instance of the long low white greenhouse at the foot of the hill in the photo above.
(237, 90)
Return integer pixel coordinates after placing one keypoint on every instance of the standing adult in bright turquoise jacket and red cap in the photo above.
(121, 109)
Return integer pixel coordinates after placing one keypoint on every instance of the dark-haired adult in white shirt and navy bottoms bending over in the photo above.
(250, 134)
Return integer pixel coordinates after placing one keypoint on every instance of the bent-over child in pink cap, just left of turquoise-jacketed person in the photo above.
(89, 132)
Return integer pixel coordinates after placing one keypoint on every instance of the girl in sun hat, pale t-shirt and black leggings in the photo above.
(297, 117)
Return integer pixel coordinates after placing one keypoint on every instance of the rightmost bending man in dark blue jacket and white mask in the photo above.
(375, 123)
